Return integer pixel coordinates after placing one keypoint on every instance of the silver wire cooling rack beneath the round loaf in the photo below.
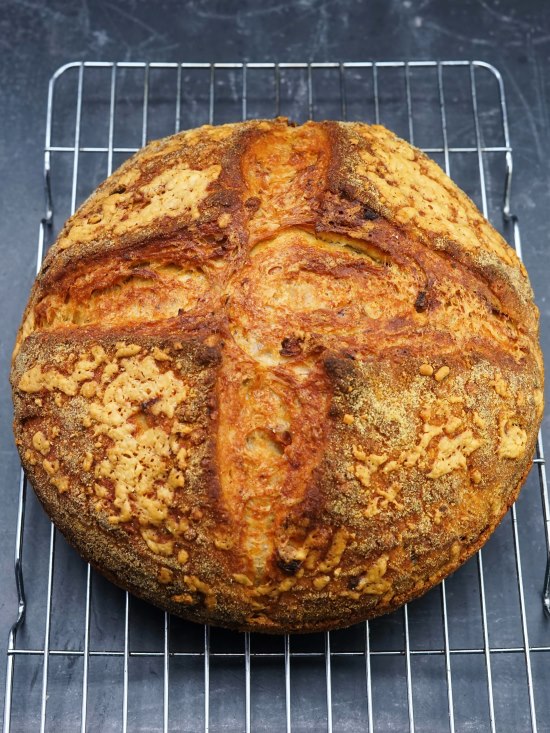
(472, 655)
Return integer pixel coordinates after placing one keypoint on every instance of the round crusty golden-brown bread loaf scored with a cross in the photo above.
(278, 378)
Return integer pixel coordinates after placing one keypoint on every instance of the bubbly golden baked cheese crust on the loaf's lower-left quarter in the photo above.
(126, 410)
